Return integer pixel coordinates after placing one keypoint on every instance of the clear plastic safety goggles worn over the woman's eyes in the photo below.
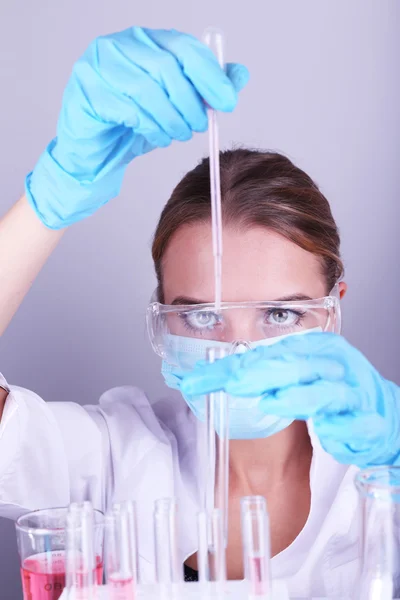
(178, 331)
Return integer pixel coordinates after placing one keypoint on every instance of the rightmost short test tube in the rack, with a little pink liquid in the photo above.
(256, 545)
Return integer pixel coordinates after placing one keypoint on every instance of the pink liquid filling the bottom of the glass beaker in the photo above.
(44, 581)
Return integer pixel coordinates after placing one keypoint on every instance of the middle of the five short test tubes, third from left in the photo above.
(169, 570)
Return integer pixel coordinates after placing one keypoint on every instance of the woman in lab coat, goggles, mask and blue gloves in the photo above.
(130, 93)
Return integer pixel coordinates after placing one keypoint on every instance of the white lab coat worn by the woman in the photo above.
(124, 447)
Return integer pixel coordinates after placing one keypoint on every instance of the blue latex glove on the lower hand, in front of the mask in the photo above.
(356, 412)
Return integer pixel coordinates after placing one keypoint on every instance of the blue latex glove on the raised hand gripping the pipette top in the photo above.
(130, 92)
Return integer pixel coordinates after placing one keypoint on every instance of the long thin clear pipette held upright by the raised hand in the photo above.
(213, 38)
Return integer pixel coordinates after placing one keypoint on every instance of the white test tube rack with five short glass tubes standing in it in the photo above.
(121, 554)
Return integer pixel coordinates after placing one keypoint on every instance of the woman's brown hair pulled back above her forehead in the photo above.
(257, 189)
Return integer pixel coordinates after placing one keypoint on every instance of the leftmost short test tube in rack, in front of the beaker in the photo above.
(81, 581)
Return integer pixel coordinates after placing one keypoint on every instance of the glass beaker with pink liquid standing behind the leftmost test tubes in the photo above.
(41, 536)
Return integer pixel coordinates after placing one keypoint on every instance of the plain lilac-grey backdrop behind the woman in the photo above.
(324, 90)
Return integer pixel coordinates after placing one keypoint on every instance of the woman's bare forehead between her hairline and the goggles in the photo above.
(257, 264)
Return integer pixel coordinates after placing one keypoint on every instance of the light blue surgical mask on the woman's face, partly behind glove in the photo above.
(246, 419)
